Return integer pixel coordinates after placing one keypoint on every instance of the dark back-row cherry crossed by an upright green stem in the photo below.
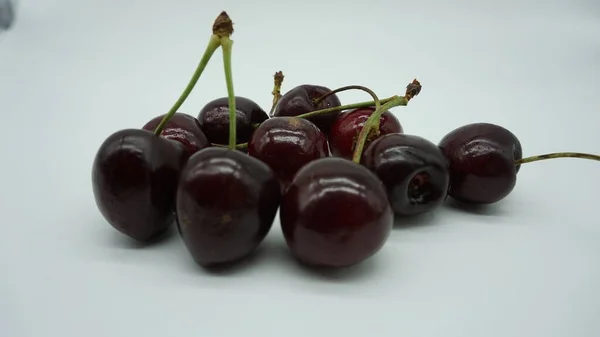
(214, 119)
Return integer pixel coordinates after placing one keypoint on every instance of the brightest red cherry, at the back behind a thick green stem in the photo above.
(344, 132)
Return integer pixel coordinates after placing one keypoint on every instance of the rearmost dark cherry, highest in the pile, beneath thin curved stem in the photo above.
(299, 100)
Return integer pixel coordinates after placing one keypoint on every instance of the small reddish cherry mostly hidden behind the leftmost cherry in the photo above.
(182, 128)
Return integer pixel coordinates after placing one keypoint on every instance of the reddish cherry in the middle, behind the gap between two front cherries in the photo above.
(286, 144)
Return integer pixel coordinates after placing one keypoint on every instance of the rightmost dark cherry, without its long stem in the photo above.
(481, 160)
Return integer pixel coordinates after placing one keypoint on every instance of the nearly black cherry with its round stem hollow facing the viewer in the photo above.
(413, 170)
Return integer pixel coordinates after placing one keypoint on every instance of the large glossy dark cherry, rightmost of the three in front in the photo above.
(335, 213)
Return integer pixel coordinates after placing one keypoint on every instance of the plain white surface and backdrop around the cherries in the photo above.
(72, 72)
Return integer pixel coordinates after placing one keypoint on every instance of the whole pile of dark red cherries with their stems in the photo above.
(340, 175)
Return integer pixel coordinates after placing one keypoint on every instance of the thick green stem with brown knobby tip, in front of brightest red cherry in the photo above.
(371, 126)
